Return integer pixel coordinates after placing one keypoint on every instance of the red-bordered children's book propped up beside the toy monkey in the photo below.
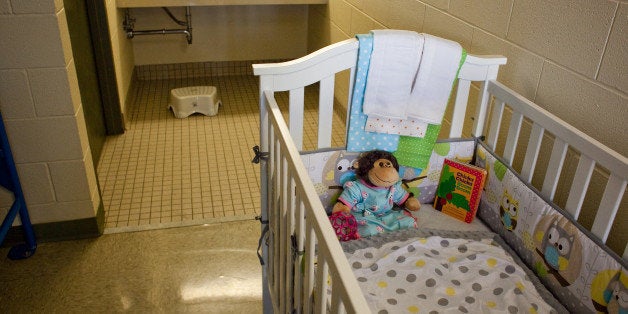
(459, 190)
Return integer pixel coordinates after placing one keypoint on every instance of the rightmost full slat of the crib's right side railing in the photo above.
(608, 206)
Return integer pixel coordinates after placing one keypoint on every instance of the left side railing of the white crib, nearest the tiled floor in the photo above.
(300, 271)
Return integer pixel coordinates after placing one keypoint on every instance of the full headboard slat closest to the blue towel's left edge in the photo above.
(325, 111)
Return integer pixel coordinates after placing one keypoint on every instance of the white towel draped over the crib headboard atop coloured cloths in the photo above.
(409, 81)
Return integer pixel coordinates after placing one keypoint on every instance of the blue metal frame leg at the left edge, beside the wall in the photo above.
(10, 181)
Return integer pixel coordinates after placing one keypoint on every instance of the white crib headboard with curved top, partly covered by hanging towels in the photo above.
(322, 65)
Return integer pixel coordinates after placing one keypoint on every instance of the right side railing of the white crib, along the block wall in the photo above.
(591, 153)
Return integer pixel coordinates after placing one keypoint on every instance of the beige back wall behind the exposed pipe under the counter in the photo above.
(222, 33)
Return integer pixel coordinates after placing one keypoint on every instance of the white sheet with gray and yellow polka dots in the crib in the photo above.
(447, 272)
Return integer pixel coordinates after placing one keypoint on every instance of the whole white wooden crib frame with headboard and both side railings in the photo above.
(300, 239)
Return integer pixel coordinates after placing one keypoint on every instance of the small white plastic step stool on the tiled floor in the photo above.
(185, 101)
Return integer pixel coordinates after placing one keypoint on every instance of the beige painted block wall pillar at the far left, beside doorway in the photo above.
(42, 111)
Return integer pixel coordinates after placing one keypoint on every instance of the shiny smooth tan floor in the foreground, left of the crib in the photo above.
(207, 269)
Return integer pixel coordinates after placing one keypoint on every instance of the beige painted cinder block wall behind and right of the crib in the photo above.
(570, 57)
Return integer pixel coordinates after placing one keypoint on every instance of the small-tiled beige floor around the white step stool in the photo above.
(166, 172)
